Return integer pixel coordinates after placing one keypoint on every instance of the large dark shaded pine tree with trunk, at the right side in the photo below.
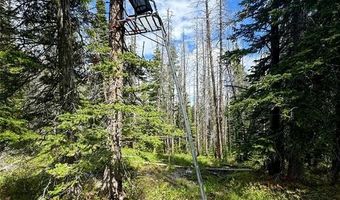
(279, 81)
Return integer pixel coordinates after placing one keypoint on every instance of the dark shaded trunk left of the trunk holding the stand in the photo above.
(65, 56)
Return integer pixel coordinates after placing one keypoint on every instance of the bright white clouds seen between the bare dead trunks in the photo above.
(183, 14)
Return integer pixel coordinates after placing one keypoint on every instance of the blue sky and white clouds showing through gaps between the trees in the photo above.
(183, 14)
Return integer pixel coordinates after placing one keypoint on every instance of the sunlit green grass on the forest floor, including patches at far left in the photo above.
(153, 176)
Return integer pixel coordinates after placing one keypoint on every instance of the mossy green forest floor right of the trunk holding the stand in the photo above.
(163, 177)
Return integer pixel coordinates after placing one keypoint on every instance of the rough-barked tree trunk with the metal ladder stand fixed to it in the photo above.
(113, 96)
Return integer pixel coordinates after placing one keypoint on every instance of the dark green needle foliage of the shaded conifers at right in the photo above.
(302, 83)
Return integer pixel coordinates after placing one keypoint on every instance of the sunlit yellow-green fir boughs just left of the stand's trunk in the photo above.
(73, 150)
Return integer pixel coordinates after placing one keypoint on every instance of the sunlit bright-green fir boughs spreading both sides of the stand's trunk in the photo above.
(76, 148)
